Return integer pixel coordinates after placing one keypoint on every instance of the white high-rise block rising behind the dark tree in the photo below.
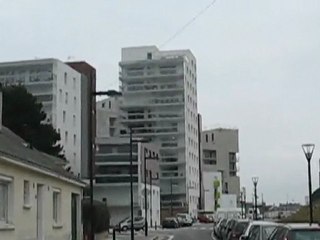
(58, 87)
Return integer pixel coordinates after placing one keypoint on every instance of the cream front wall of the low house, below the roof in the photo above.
(24, 220)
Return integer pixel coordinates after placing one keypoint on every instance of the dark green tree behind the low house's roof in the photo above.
(23, 115)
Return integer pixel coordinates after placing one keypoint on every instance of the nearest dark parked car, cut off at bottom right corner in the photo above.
(296, 232)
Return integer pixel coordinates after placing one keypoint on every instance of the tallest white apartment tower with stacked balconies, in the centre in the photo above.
(160, 103)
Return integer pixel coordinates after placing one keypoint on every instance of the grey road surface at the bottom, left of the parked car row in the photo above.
(197, 231)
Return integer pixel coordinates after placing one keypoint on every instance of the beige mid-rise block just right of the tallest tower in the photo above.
(220, 148)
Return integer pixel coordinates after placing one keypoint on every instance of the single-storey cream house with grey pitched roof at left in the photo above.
(38, 198)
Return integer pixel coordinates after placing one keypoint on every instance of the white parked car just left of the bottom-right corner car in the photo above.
(259, 230)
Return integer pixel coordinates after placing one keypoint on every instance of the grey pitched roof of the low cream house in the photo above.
(14, 147)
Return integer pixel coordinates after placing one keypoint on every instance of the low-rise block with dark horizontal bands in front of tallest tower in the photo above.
(112, 178)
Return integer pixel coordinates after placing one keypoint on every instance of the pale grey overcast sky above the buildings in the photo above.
(258, 67)
